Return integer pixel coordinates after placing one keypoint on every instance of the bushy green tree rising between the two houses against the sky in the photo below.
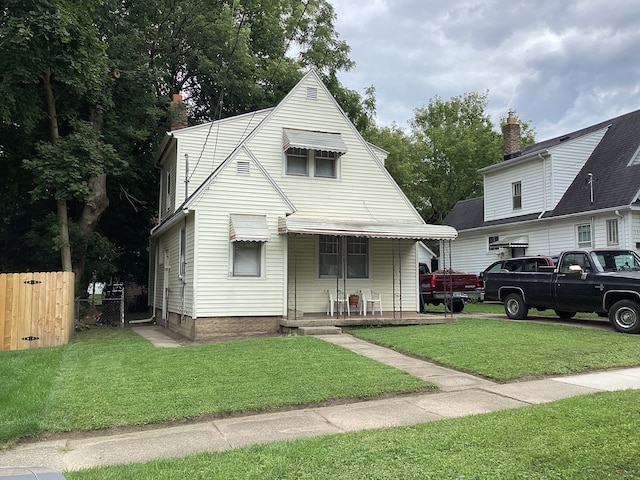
(436, 163)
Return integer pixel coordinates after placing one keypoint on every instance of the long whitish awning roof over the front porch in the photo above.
(359, 228)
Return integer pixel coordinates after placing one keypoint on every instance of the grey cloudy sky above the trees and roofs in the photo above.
(561, 64)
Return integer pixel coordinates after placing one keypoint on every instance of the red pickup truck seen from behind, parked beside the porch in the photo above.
(453, 287)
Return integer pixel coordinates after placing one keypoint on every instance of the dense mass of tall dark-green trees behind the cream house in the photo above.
(86, 85)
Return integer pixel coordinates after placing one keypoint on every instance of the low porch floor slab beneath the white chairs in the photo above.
(321, 319)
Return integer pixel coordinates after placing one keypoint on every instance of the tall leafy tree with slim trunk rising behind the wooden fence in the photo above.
(53, 55)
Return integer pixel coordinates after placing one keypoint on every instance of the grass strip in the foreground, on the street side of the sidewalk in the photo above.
(587, 437)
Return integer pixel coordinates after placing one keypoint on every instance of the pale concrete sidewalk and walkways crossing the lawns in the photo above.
(462, 394)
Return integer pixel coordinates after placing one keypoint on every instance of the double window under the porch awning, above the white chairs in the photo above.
(330, 253)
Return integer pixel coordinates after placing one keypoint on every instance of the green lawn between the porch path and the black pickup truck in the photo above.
(506, 350)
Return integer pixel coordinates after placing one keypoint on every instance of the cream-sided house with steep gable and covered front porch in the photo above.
(262, 213)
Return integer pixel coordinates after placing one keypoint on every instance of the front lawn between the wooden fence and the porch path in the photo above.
(111, 376)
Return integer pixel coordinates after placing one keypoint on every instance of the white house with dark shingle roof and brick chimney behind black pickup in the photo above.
(577, 190)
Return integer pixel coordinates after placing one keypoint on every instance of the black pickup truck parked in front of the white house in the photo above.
(604, 281)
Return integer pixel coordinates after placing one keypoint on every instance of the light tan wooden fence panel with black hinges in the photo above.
(36, 309)
